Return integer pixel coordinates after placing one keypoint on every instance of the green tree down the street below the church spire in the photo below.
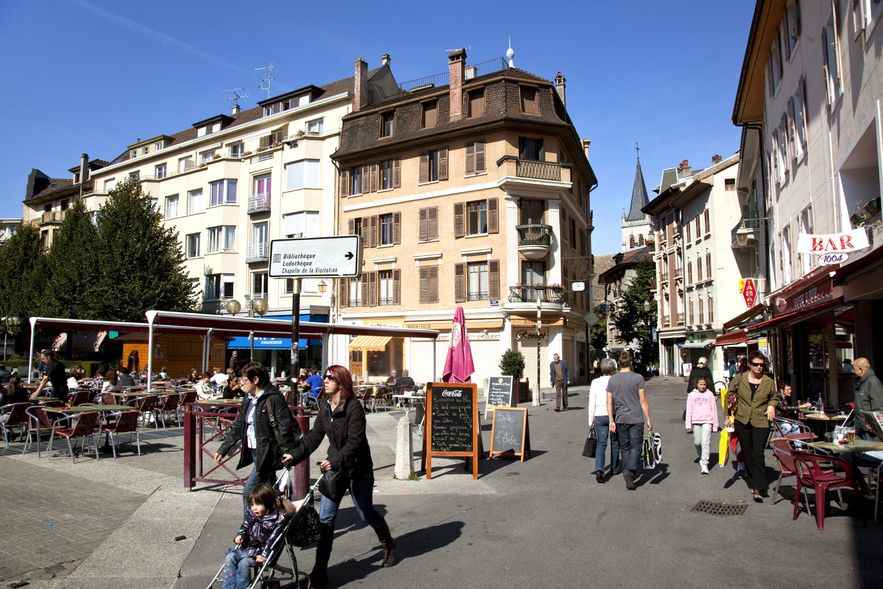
(635, 314)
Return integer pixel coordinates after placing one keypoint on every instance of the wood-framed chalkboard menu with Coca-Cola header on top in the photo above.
(452, 425)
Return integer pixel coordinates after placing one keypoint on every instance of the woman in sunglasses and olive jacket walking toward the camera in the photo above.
(755, 408)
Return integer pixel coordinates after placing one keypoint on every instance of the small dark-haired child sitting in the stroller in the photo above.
(255, 538)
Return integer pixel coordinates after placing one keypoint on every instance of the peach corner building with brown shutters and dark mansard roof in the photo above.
(471, 189)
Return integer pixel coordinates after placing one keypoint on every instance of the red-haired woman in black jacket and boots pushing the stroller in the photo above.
(342, 419)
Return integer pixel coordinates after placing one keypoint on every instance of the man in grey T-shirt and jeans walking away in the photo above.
(629, 412)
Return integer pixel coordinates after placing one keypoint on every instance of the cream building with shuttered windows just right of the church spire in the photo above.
(698, 278)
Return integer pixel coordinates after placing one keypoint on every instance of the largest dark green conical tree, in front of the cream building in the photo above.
(140, 264)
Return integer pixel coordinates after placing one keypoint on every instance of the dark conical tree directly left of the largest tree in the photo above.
(71, 268)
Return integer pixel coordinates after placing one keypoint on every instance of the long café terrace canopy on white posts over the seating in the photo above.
(223, 325)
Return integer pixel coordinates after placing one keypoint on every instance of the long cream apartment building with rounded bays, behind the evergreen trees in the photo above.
(229, 184)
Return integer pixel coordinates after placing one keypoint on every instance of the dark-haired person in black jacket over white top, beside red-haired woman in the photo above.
(264, 428)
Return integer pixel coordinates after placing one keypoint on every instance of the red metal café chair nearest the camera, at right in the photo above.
(822, 474)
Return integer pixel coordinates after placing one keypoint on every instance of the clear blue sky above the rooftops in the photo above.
(93, 75)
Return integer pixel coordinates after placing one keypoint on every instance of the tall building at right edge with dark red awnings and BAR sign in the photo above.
(810, 102)
